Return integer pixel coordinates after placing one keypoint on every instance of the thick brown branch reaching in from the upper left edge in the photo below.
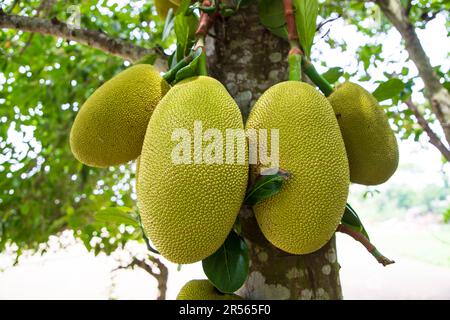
(92, 38)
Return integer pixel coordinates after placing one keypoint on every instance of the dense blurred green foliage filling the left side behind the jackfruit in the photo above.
(43, 82)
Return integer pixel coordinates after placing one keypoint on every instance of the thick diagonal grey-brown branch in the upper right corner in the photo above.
(435, 92)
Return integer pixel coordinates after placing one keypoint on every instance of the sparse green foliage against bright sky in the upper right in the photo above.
(396, 86)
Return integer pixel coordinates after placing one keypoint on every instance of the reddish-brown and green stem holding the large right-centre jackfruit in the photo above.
(296, 53)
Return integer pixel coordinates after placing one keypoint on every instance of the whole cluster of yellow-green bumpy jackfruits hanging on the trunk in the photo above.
(188, 208)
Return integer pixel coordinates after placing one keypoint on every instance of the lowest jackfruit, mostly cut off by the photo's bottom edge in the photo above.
(203, 290)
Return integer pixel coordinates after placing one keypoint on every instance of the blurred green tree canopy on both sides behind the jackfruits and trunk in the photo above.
(46, 75)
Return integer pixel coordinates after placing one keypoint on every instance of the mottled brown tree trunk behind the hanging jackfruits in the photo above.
(248, 59)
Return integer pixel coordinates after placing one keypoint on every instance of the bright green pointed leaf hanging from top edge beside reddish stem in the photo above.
(306, 12)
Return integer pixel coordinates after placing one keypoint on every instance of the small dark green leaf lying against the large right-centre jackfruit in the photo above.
(265, 187)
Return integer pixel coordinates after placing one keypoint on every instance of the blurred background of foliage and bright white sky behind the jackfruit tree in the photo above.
(52, 246)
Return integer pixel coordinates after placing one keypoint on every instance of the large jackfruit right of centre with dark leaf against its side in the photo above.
(303, 216)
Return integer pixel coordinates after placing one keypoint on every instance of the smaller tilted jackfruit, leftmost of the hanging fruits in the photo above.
(110, 127)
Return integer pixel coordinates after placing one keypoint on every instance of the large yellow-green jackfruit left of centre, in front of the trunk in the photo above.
(188, 210)
